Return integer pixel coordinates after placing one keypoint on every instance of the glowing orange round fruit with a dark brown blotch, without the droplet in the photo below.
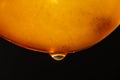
(58, 26)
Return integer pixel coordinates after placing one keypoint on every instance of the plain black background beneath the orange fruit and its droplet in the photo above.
(100, 62)
